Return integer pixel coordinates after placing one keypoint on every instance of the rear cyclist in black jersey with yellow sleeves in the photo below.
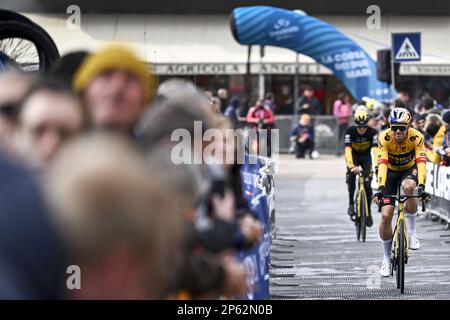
(360, 139)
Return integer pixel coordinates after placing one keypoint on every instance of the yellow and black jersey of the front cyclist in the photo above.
(401, 156)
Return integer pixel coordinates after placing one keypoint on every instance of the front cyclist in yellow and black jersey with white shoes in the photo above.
(401, 161)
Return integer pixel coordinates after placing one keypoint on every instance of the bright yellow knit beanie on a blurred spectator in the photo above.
(114, 57)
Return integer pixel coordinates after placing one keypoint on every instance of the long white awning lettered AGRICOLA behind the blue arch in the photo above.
(199, 41)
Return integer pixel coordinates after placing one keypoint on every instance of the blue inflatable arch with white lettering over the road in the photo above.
(264, 25)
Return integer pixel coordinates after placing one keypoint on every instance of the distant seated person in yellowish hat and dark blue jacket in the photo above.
(303, 135)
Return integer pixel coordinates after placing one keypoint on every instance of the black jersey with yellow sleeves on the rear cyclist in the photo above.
(359, 145)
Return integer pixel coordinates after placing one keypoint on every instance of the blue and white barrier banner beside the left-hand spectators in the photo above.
(258, 187)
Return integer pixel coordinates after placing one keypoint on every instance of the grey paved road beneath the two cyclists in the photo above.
(315, 254)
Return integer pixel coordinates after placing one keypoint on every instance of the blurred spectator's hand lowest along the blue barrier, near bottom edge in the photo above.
(235, 282)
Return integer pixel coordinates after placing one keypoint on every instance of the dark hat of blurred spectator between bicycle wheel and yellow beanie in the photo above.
(66, 66)
